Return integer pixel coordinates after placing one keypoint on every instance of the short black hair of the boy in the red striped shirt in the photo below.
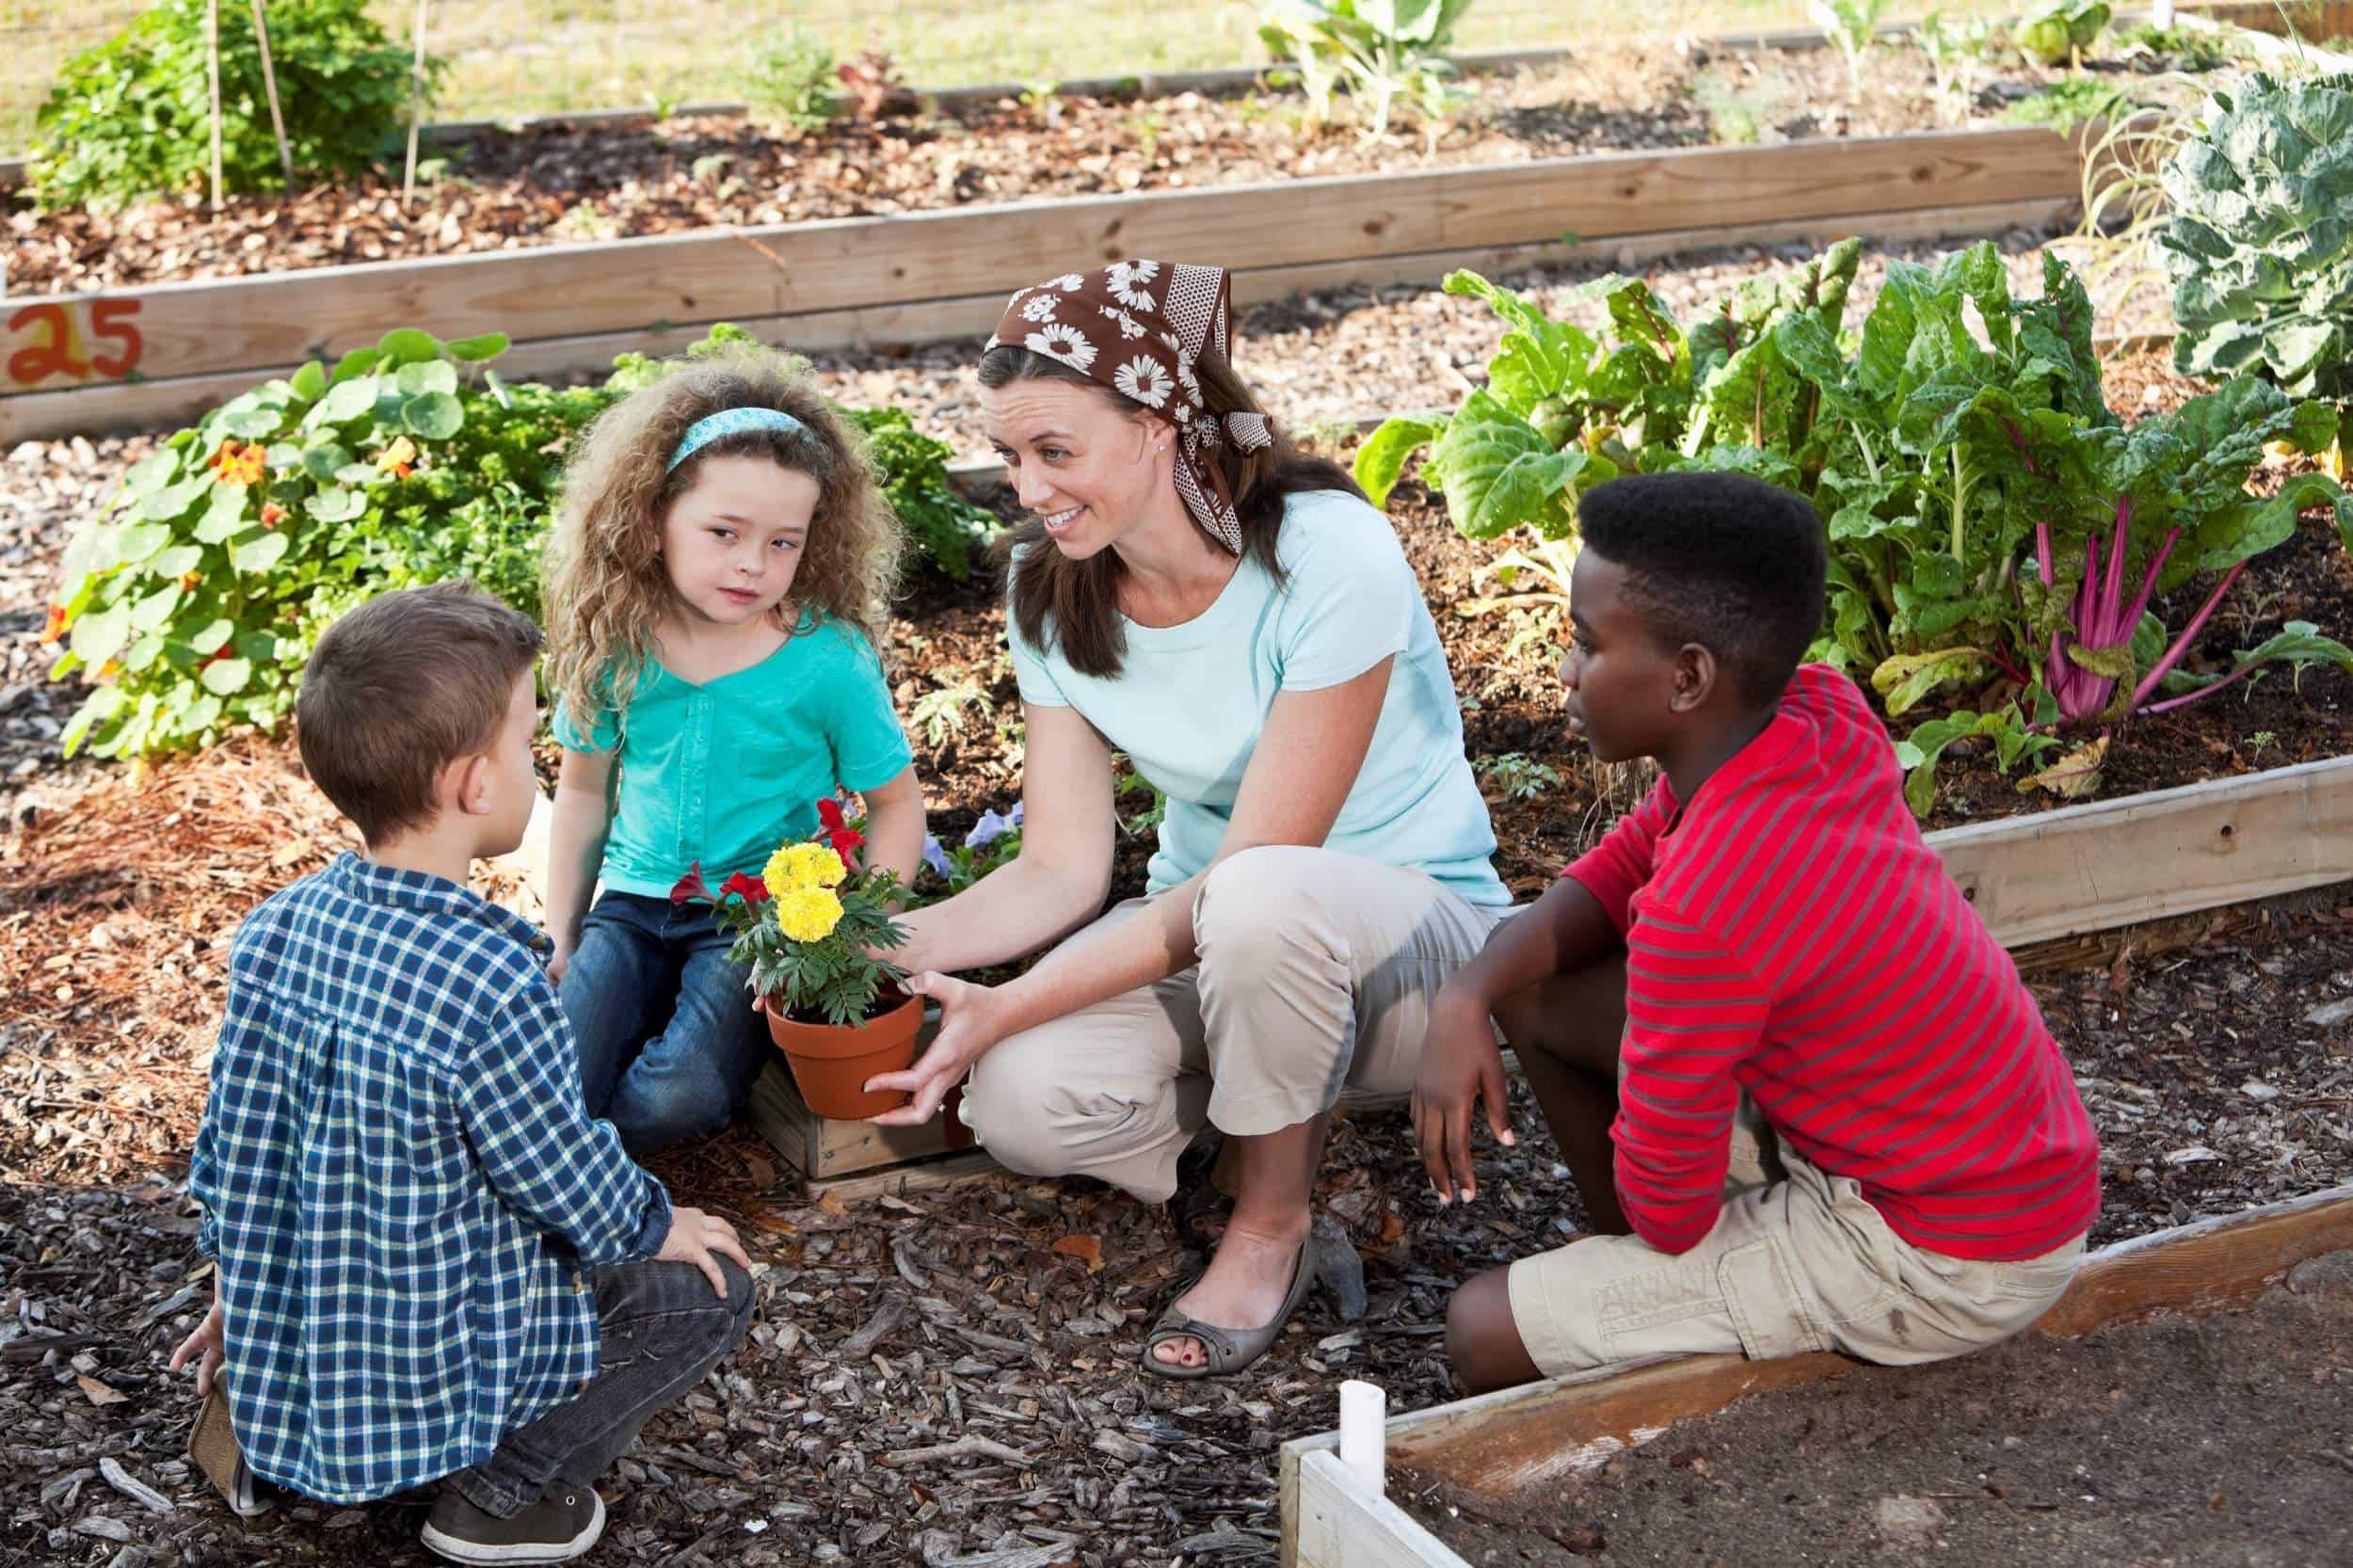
(1717, 559)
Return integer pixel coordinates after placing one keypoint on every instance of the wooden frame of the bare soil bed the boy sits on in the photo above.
(1542, 1435)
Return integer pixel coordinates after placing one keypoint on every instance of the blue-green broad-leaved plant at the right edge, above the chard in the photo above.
(2260, 246)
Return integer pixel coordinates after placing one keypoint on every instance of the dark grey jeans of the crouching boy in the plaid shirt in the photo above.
(660, 1331)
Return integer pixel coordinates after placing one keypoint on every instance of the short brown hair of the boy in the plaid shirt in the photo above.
(401, 689)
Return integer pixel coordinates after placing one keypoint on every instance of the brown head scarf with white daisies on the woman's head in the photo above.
(1140, 328)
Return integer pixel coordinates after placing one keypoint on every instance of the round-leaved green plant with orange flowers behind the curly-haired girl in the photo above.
(192, 602)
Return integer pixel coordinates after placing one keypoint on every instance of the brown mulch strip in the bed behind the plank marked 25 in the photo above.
(568, 182)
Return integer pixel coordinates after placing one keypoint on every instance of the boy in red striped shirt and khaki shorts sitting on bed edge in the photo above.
(1801, 1089)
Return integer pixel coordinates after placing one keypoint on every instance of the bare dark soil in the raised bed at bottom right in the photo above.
(2215, 1442)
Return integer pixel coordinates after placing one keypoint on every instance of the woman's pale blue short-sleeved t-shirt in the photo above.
(1192, 700)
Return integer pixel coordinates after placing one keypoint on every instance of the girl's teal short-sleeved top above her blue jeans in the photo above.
(724, 773)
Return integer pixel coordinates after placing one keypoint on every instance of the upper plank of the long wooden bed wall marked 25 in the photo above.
(267, 321)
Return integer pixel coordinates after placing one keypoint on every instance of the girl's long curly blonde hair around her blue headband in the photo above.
(606, 585)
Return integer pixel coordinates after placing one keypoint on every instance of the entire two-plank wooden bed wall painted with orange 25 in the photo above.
(131, 357)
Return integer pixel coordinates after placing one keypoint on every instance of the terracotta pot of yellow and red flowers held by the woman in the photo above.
(804, 929)
